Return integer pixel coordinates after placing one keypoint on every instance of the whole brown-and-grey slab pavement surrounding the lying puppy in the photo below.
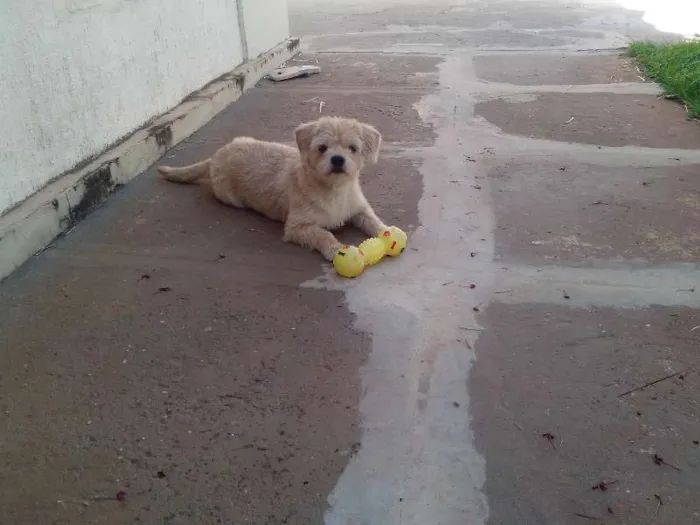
(178, 352)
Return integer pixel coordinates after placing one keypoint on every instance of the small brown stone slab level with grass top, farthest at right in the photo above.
(564, 69)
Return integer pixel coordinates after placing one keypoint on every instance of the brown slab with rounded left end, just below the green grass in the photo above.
(600, 118)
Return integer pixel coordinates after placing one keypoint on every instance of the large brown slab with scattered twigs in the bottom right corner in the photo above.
(546, 370)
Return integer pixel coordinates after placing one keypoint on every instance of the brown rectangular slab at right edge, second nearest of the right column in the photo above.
(550, 212)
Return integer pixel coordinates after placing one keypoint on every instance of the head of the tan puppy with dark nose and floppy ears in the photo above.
(334, 149)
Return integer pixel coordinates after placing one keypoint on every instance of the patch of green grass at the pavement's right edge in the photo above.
(676, 67)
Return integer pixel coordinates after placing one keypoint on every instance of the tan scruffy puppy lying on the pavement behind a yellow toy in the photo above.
(312, 190)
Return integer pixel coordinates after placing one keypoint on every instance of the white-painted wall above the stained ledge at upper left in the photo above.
(78, 75)
